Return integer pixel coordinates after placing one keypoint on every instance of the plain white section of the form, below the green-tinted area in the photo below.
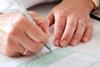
(75, 60)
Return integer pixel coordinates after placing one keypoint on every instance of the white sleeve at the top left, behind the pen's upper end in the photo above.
(5, 4)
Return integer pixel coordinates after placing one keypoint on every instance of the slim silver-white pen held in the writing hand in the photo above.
(22, 9)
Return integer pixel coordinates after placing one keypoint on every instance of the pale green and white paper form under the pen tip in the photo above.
(61, 57)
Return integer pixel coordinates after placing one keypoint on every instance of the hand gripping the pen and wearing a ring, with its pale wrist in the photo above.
(18, 35)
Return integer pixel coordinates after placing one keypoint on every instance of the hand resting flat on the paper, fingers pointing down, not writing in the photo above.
(72, 22)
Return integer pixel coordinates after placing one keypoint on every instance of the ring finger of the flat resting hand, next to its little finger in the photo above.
(79, 31)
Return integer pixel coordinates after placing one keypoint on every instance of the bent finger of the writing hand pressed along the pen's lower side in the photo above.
(35, 32)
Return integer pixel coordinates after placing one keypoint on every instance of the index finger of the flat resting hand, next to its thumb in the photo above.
(59, 28)
